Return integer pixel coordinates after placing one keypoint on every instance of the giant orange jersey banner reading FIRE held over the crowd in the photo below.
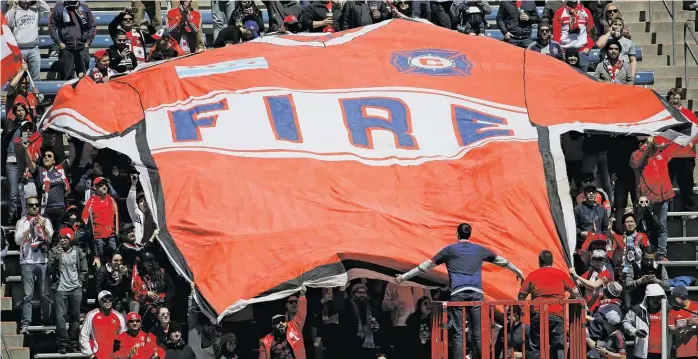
(306, 159)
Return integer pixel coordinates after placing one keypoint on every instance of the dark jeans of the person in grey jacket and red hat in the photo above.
(68, 303)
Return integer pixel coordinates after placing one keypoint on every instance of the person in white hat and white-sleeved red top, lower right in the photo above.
(644, 322)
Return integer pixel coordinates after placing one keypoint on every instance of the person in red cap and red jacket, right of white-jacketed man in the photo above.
(135, 343)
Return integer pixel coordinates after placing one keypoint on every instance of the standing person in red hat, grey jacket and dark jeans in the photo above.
(69, 264)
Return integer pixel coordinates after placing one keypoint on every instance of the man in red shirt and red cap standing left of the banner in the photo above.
(102, 212)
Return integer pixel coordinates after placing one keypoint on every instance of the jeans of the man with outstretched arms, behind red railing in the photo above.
(455, 316)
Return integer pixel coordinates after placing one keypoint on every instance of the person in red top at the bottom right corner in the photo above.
(683, 324)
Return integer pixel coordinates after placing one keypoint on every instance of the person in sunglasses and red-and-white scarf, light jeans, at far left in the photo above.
(33, 233)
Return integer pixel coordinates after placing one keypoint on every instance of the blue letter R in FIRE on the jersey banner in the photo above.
(359, 122)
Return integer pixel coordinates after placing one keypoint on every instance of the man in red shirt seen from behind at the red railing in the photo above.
(548, 283)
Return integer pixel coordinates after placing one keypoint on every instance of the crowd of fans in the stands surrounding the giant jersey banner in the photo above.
(80, 212)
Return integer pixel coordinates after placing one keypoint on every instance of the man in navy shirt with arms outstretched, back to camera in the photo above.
(463, 261)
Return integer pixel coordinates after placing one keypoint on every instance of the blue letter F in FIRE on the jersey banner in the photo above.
(186, 123)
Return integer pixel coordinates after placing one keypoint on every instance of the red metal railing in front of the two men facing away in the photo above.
(510, 314)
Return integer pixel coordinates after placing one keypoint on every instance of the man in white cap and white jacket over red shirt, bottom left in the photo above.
(101, 327)
